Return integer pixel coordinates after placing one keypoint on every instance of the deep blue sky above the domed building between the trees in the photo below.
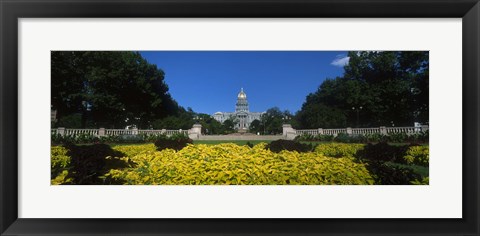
(209, 81)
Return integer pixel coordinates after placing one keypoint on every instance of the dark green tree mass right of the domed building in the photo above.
(390, 87)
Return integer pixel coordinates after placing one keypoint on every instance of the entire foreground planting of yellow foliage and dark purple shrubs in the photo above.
(334, 163)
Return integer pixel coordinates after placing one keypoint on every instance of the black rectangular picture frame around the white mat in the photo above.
(11, 11)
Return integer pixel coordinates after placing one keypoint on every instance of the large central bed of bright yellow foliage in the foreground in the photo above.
(226, 164)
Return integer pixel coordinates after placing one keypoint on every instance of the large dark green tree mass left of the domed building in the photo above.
(111, 89)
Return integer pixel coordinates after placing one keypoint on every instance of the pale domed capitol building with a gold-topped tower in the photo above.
(242, 117)
